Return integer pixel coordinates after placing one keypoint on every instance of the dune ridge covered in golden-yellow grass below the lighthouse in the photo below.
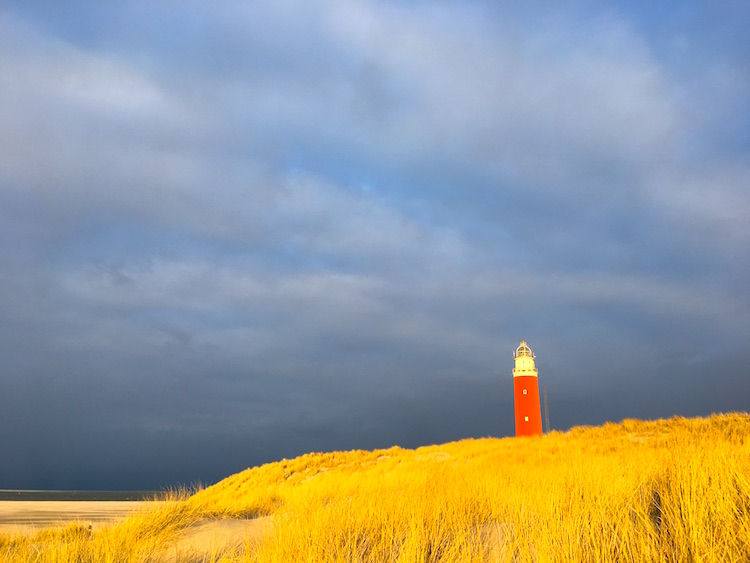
(668, 490)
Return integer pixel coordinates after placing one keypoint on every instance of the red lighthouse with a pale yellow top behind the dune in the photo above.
(526, 393)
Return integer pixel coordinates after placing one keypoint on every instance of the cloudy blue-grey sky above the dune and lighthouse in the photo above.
(233, 232)
